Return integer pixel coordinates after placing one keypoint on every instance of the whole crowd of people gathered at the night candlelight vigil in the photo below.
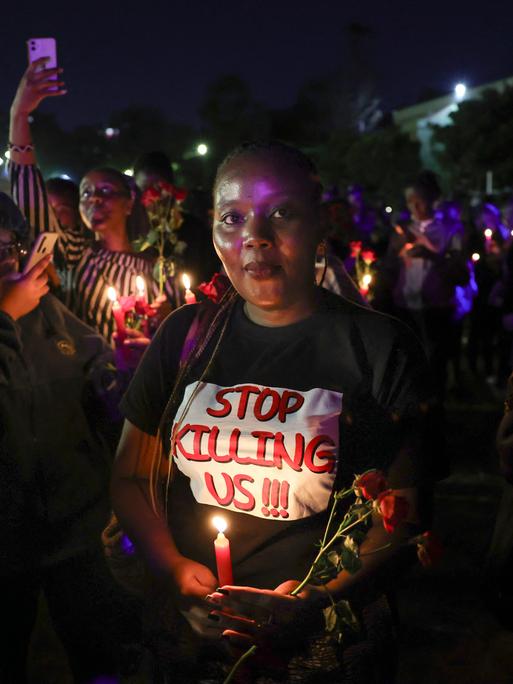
(337, 326)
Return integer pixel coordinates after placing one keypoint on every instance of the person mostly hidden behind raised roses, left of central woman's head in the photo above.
(198, 257)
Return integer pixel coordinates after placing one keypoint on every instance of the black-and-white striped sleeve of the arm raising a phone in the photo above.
(29, 192)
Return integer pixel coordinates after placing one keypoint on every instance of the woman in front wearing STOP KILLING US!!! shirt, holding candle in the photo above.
(356, 374)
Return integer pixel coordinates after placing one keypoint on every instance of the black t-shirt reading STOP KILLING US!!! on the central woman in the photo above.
(283, 417)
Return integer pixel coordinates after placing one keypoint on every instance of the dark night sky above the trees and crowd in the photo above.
(165, 54)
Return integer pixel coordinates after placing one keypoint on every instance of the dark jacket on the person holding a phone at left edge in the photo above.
(58, 404)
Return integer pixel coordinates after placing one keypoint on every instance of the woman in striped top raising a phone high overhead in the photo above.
(106, 207)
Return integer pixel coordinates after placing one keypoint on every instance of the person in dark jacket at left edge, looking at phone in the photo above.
(58, 404)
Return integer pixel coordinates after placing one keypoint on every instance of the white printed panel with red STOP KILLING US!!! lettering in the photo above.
(270, 452)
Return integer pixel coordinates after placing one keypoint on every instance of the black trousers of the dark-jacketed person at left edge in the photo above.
(94, 619)
